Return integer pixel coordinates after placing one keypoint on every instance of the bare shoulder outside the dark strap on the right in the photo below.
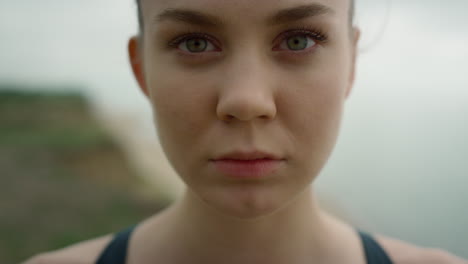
(404, 253)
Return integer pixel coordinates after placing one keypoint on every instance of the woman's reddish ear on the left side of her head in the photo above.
(136, 61)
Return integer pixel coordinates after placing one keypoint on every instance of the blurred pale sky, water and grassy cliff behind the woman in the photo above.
(79, 156)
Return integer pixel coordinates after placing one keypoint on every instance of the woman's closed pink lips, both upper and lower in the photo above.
(247, 165)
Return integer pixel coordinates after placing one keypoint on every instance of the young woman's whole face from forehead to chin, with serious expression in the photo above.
(244, 76)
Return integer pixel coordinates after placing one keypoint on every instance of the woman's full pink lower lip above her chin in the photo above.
(255, 169)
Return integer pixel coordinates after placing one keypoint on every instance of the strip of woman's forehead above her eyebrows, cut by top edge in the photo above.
(238, 11)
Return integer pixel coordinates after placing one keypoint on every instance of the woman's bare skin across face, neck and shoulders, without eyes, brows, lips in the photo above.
(249, 92)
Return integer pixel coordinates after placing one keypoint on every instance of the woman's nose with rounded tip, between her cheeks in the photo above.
(246, 93)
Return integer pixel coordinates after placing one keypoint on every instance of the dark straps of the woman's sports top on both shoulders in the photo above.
(116, 250)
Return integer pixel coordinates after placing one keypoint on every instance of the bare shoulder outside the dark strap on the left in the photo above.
(85, 252)
